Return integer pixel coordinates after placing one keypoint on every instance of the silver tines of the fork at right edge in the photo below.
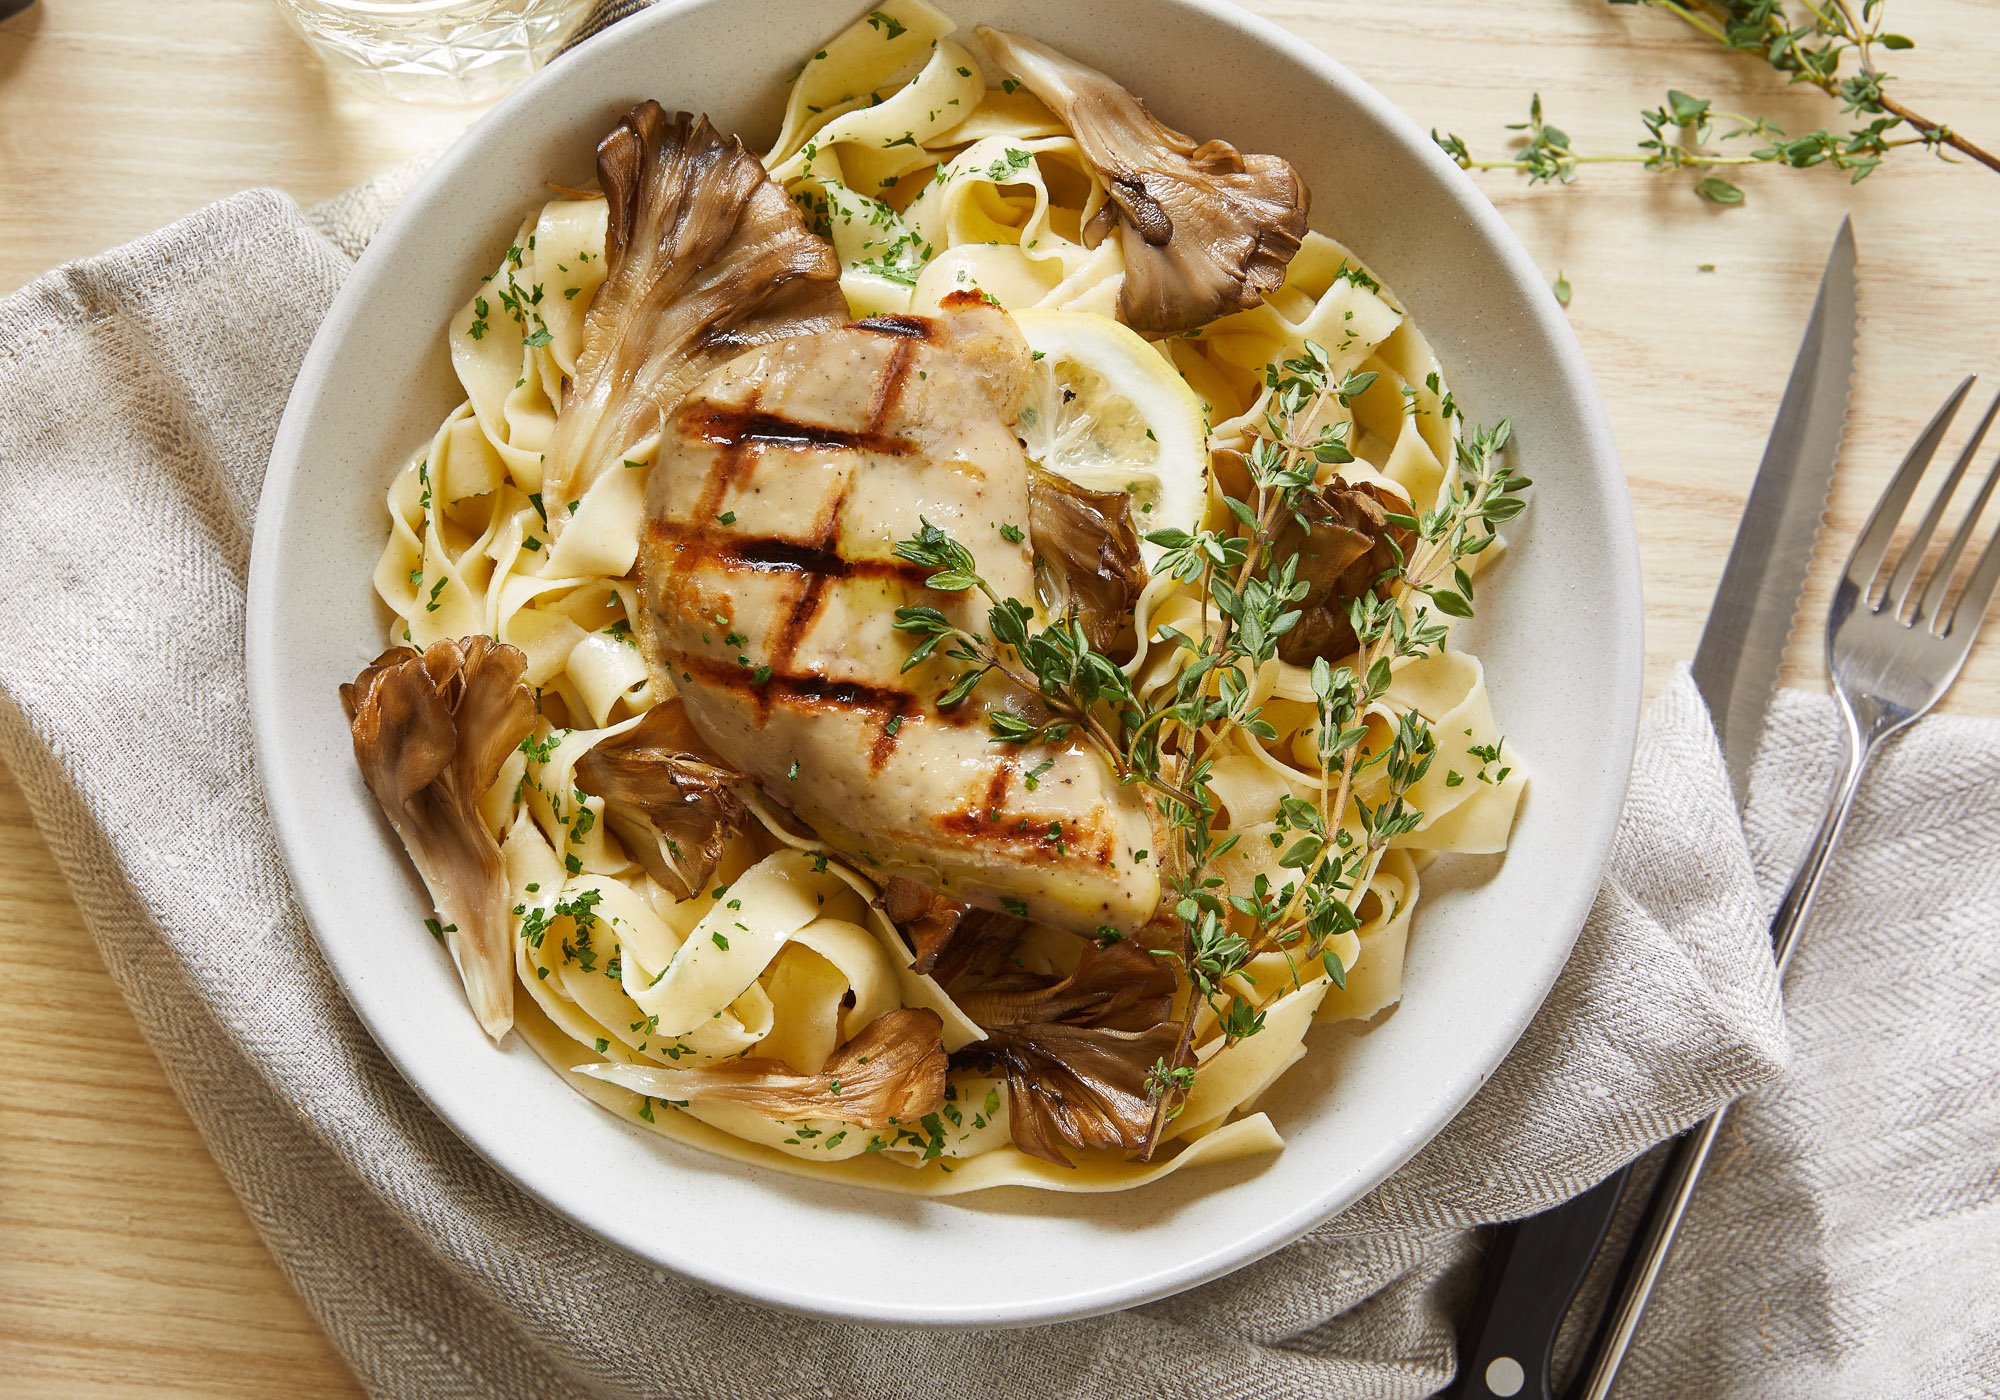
(1871, 551)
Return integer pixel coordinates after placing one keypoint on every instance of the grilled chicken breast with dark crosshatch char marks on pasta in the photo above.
(771, 587)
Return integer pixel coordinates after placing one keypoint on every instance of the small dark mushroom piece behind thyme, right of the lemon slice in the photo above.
(1345, 543)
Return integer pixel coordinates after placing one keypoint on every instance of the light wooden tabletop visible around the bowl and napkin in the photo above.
(129, 1267)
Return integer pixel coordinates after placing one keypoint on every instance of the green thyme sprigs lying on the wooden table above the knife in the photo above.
(1687, 135)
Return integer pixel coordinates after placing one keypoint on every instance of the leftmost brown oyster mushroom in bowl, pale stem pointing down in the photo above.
(431, 731)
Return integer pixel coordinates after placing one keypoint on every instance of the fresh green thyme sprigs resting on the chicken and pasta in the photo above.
(1171, 735)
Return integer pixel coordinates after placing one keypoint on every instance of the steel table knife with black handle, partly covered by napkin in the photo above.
(1535, 1267)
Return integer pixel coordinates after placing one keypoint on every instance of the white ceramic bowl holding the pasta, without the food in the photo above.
(1561, 639)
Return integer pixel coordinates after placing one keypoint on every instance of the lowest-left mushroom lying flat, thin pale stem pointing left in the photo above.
(891, 1073)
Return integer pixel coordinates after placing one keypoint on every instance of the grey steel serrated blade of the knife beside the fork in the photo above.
(1751, 619)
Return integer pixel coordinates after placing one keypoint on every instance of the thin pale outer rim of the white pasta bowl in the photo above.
(1591, 851)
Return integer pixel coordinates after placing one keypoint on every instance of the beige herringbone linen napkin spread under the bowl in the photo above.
(1847, 1241)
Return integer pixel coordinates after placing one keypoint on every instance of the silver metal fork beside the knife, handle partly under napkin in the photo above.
(1891, 653)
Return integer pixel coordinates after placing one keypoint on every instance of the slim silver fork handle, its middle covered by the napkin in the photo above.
(1675, 1189)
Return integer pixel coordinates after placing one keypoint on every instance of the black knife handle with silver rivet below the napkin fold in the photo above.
(1533, 1273)
